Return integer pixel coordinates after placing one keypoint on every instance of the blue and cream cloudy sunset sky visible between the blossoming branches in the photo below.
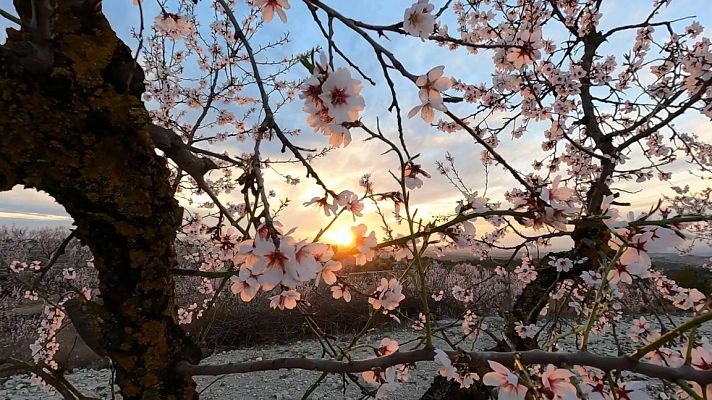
(342, 168)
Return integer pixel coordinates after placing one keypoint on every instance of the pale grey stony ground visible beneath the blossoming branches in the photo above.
(284, 384)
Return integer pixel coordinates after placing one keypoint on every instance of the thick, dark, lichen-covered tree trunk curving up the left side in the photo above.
(72, 124)
